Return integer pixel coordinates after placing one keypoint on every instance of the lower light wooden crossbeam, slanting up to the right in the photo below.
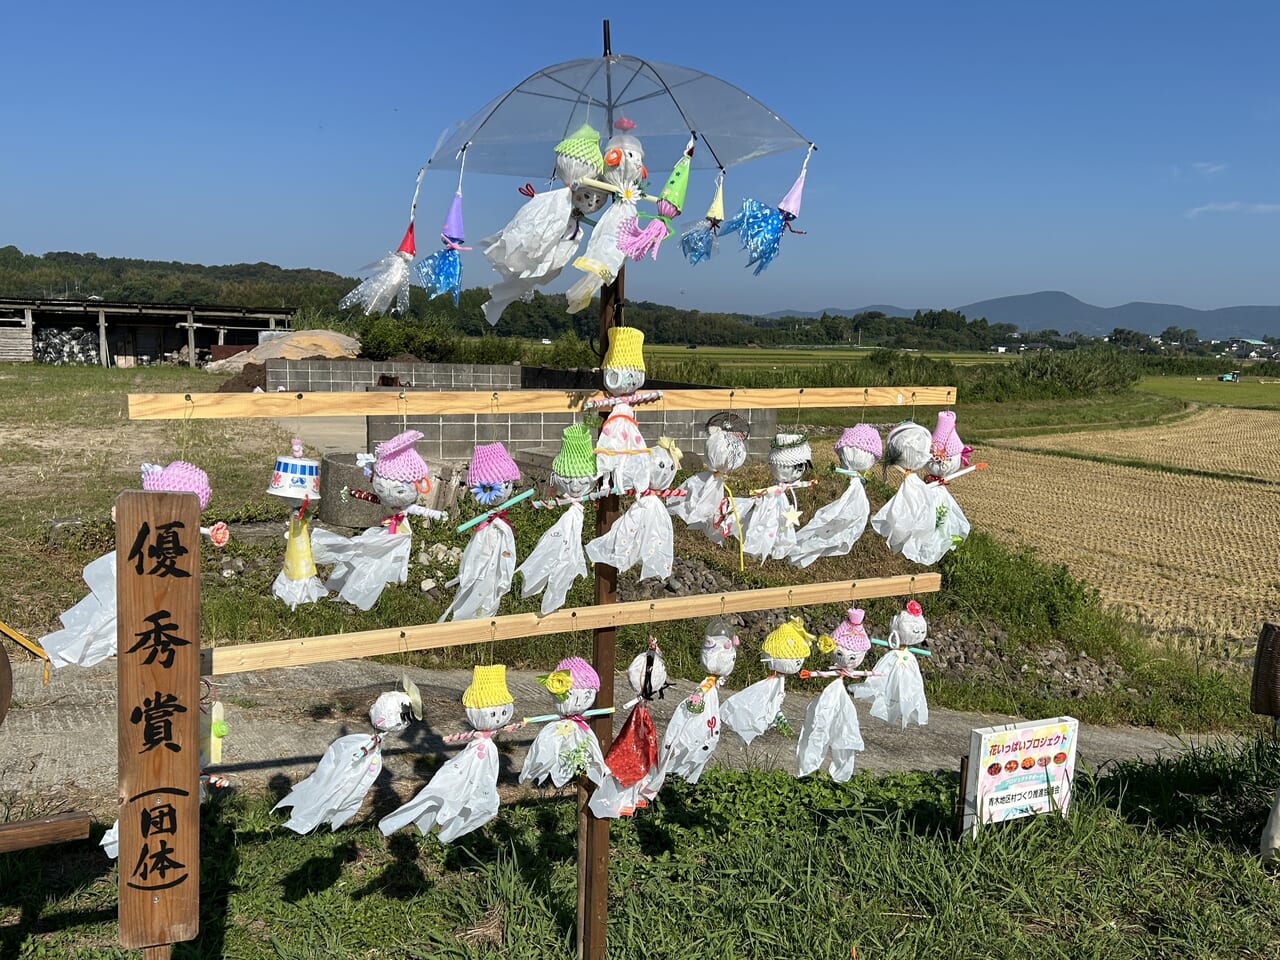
(428, 637)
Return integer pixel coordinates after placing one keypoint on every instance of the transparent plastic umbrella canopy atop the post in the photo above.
(513, 134)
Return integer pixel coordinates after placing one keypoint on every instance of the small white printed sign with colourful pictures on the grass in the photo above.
(1020, 770)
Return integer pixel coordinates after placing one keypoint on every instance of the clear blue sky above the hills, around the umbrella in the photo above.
(1117, 152)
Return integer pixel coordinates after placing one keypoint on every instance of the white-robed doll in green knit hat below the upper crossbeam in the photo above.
(557, 559)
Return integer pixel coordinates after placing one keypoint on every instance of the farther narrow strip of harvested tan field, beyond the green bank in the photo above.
(1218, 440)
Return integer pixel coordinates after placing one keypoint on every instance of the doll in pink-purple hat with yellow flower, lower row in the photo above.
(568, 748)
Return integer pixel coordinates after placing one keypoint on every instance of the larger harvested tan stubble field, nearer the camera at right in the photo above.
(1182, 552)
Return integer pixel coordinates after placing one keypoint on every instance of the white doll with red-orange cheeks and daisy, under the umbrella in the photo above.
(624, 176)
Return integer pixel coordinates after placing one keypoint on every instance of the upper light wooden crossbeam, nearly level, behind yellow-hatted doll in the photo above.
(218, 406)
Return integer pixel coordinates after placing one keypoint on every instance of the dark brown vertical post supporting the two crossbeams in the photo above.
(593, 833)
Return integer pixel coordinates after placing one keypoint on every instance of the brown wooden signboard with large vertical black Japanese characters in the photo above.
(158, 632)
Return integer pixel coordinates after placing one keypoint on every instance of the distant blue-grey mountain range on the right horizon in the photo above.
(1066, 314)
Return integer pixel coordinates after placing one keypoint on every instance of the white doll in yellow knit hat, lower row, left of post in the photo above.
(463, 796)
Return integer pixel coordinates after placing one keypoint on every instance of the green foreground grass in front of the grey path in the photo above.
(1153, 861)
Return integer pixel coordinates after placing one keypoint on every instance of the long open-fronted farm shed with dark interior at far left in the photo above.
(127, 335)
